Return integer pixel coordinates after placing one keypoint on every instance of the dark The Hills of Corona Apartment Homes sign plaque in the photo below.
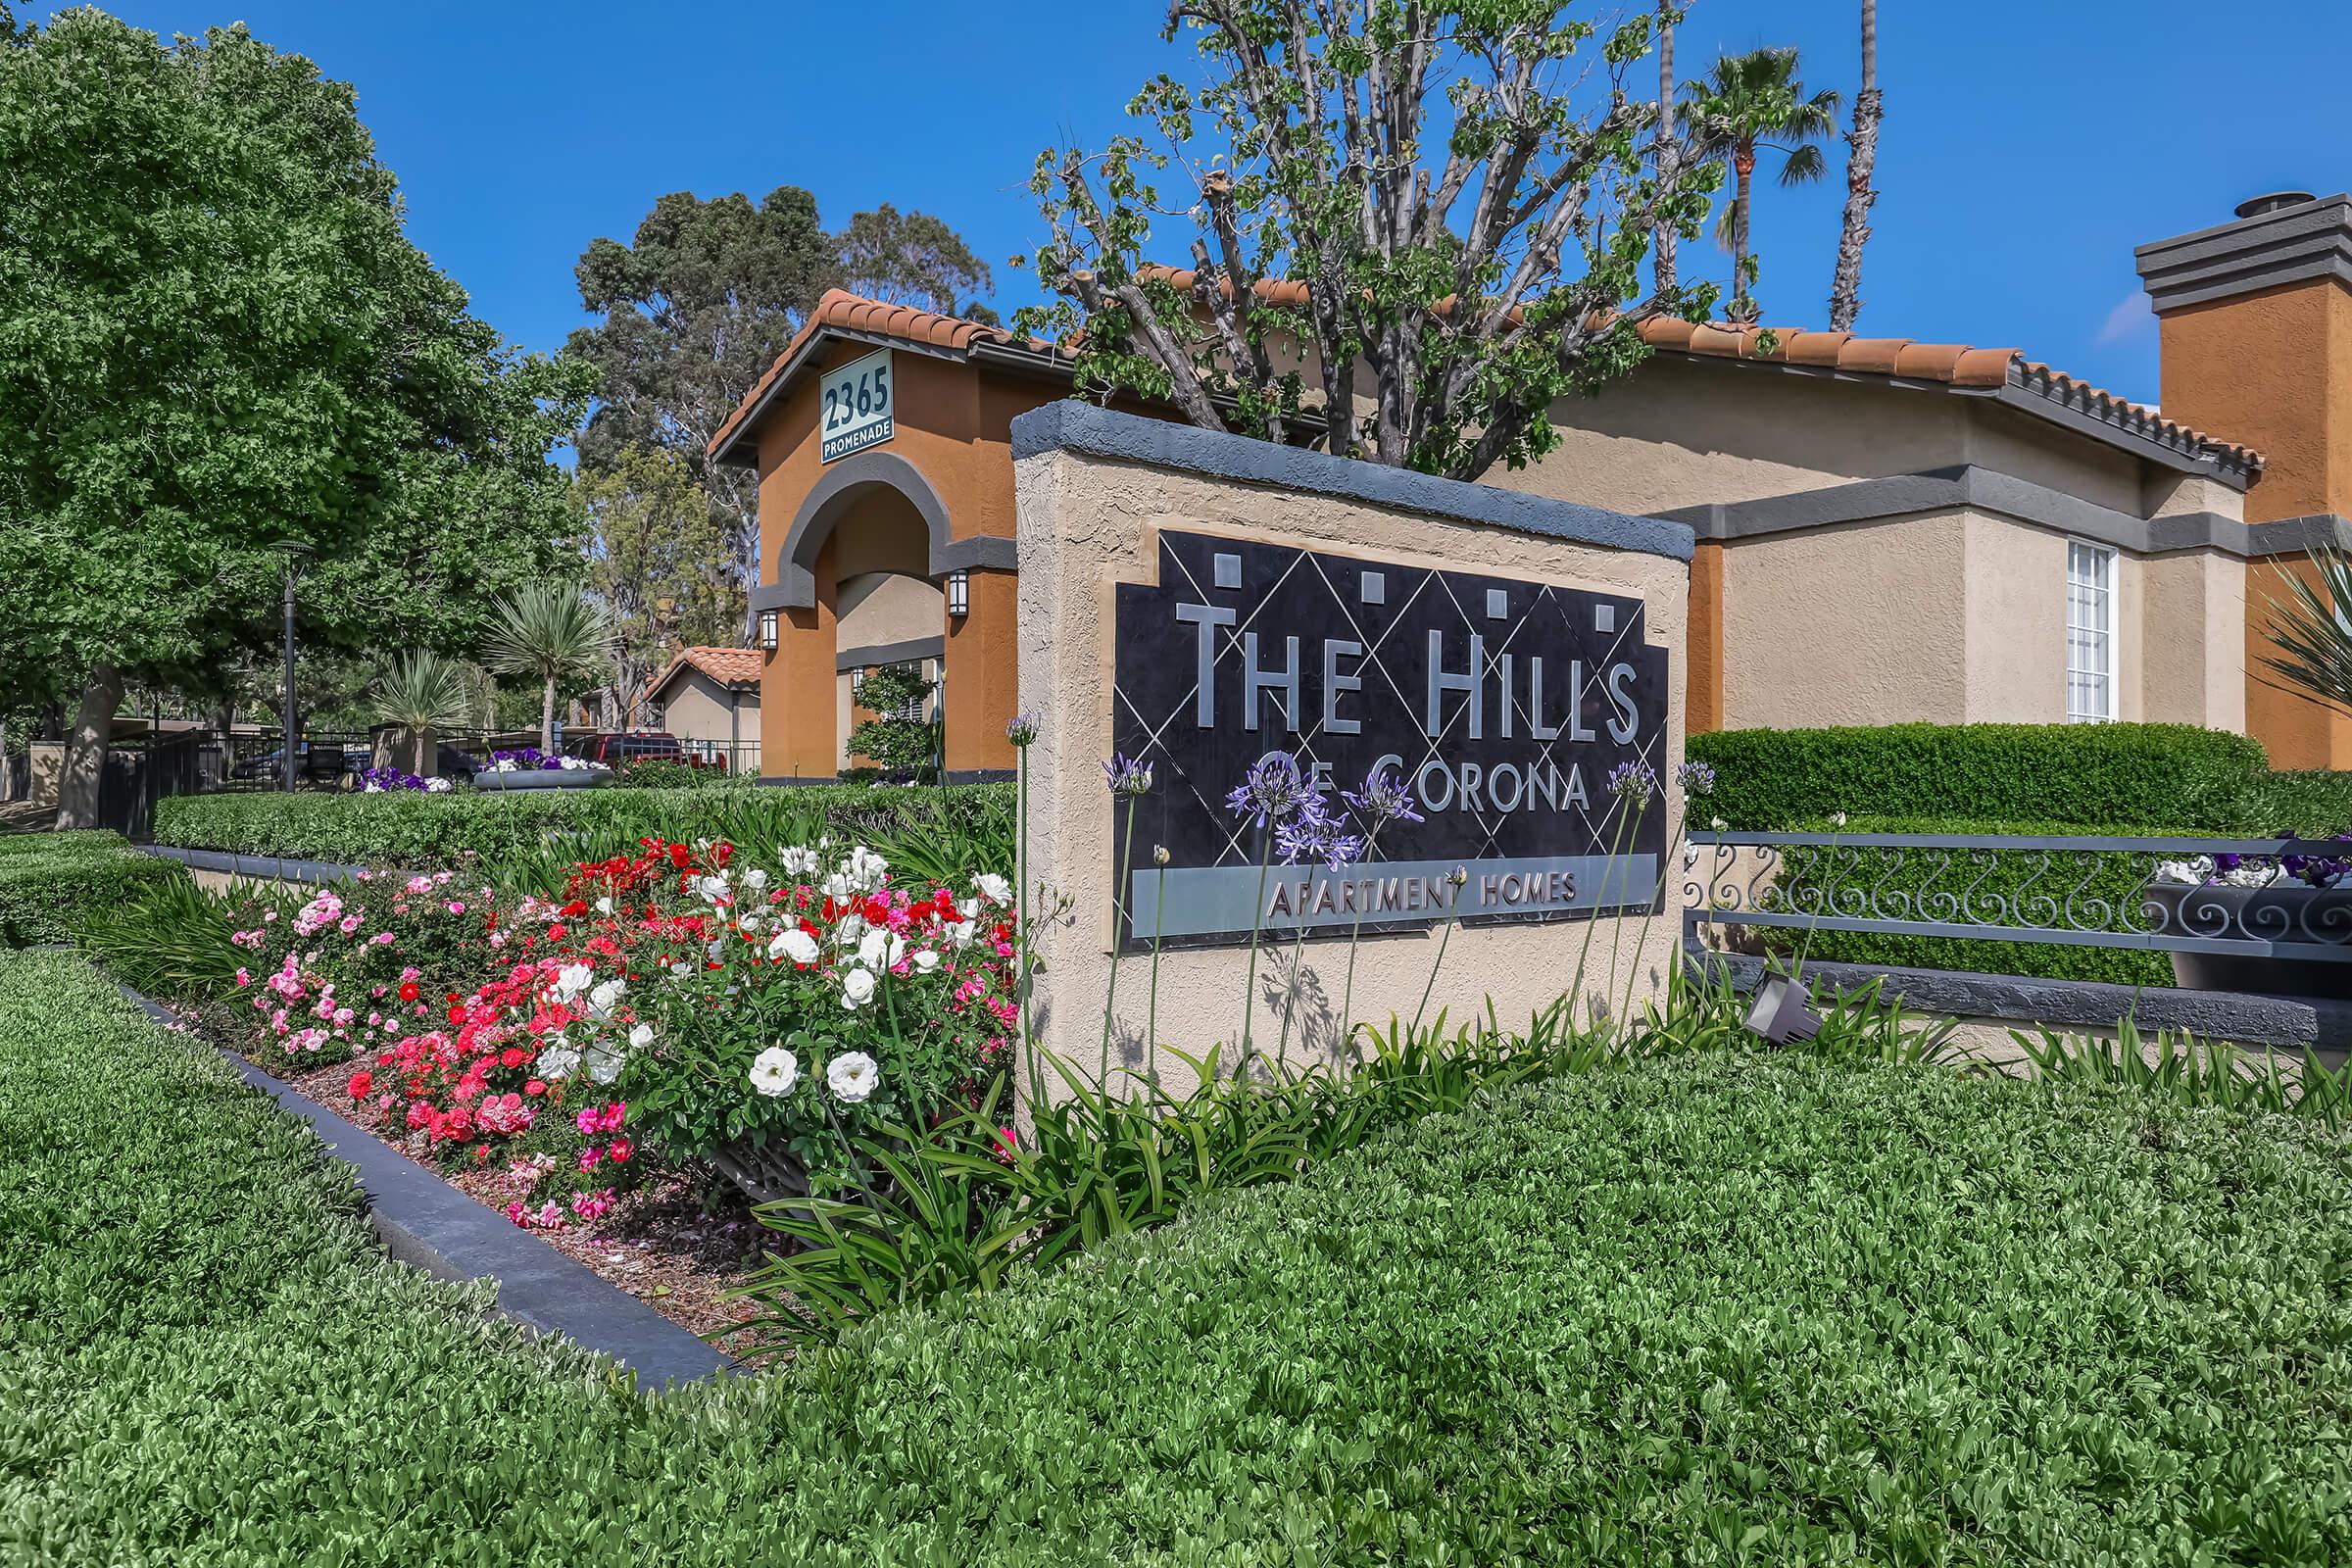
(1502, 704)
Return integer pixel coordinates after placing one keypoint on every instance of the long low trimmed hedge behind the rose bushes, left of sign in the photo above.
(441, 831)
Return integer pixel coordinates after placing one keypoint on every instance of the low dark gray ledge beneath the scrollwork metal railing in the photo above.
(2250, 1021)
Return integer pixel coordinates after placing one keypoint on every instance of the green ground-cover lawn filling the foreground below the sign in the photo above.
(1695, 1311)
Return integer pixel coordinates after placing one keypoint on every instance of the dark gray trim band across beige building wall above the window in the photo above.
(1982, 490)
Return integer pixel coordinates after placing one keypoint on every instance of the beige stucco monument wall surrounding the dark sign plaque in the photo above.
(1088, 525)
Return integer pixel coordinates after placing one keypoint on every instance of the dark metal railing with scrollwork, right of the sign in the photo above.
(2083, 892)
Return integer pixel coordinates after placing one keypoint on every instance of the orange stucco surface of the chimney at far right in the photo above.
(2276, 370)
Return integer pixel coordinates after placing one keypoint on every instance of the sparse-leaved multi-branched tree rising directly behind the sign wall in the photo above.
(1410, 225)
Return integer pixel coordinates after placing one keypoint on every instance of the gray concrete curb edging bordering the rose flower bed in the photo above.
(436, 1228)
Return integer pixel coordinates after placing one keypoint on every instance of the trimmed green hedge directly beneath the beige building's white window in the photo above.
(2174, 775)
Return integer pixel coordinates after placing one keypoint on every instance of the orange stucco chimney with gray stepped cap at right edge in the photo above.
(2257, 335)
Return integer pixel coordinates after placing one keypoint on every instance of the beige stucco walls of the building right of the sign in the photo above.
(1946, 617)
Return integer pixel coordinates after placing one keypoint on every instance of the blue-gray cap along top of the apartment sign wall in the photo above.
(1130, 438)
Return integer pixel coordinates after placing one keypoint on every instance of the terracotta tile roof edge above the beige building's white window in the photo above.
(1951, 363)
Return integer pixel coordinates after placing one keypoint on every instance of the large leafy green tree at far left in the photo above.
(215, 337)
